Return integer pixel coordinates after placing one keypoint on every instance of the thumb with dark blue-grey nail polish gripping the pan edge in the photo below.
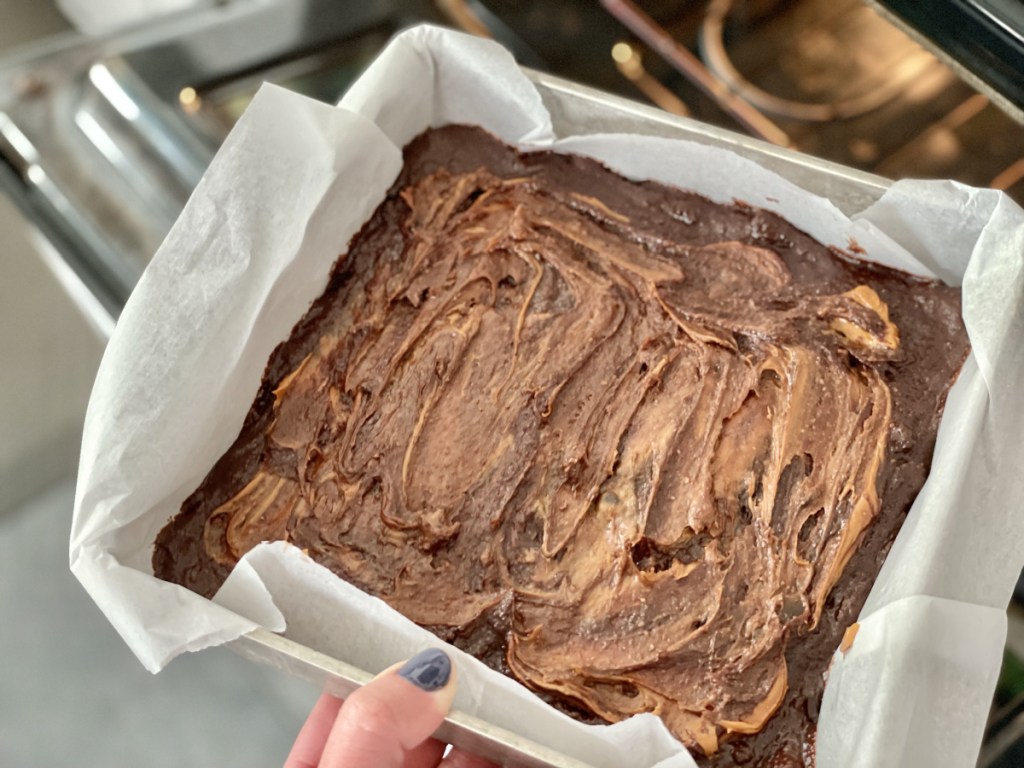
(393, 714)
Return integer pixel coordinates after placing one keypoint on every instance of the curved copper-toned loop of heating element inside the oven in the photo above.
(874, 97)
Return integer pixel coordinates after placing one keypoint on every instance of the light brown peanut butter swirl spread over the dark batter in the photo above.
(662, 455)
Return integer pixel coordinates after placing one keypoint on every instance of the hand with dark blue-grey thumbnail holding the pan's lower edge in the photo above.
(387, 723)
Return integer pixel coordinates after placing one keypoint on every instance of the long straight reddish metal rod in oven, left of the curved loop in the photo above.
(690, 67)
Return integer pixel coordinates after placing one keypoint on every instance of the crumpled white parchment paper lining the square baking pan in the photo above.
(253, 248)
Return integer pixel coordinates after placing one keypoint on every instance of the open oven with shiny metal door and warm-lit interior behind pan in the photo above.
(104, 139)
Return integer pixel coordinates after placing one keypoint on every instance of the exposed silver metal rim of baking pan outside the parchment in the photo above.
(577, 110)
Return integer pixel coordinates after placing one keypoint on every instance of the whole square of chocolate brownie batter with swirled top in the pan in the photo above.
(642, 452)
